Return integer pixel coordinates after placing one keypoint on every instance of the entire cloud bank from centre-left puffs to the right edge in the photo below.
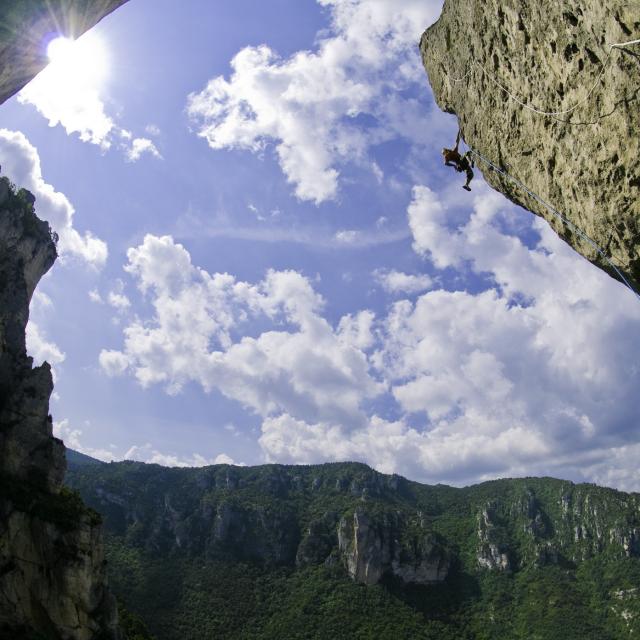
(534, 373)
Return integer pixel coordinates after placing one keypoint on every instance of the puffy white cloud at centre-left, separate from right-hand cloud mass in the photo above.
(301, 365)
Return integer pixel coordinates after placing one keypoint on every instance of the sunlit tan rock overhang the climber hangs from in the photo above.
(550, 55)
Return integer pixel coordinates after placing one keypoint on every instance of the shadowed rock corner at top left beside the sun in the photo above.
(27, 26)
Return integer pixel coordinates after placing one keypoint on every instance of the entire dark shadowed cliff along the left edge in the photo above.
(52, 568)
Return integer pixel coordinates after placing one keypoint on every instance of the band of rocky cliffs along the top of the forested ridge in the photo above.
(373, 525)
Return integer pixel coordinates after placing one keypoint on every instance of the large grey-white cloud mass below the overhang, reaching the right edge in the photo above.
(535, 375)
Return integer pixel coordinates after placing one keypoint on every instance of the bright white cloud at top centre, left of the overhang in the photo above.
(309, 104)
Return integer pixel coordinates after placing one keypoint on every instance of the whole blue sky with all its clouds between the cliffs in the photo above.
(263, 258)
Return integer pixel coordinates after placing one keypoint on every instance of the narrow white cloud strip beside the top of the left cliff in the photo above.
(21, 163)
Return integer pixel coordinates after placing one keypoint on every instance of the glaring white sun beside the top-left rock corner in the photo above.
(81, 62)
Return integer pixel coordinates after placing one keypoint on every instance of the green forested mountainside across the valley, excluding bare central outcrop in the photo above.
(253, 553)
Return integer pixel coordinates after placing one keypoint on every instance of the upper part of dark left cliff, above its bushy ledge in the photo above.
(27, 251)
